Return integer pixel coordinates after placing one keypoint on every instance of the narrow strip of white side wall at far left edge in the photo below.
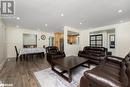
(2, 44)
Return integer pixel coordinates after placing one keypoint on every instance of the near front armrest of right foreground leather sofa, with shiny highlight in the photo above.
(93, 79)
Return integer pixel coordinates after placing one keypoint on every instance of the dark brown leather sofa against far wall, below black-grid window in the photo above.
(94, 54)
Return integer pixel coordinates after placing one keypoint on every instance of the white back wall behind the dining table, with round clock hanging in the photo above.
(15, 38)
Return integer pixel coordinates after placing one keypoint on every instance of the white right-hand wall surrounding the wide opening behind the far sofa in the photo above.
(122, 37)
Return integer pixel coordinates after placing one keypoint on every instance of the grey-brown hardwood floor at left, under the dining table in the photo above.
(20, 73)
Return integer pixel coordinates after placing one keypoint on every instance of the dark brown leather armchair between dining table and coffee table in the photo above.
(53, 52)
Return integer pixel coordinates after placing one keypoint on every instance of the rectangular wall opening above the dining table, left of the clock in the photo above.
(29, 40)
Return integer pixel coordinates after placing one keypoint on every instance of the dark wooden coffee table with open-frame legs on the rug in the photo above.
(67, 64)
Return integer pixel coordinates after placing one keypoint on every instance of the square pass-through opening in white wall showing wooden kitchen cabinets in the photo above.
(72, 37)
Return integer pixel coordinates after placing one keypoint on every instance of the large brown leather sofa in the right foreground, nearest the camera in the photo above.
(115, 72)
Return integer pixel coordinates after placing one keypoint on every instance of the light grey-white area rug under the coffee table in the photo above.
(48, 78)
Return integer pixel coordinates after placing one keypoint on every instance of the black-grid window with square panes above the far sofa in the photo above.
(96, 40)
